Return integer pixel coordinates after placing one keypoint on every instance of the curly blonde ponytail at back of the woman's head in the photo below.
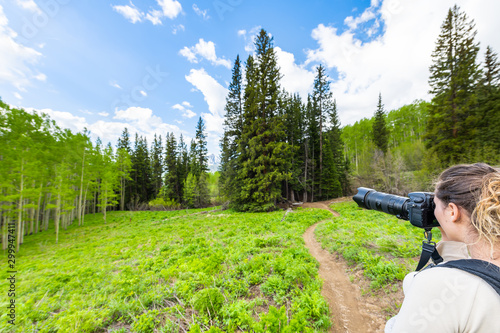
(486, 216)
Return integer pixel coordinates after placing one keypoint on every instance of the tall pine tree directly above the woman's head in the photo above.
(453, 78)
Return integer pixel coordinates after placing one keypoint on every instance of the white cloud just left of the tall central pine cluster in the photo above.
(215, 96)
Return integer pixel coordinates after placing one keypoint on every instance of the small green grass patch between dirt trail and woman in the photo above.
(385, 248)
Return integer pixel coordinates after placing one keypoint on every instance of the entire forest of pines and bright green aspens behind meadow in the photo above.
(277, 148)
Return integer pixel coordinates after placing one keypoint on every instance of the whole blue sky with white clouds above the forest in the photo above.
(157, 66)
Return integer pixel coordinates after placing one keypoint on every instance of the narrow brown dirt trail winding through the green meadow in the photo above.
(350, 311)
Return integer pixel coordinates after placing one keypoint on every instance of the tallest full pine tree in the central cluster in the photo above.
(263, 137)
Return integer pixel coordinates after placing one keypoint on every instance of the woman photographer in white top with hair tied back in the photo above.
(448, 297)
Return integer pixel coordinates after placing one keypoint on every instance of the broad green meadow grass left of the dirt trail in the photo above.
(168, 271)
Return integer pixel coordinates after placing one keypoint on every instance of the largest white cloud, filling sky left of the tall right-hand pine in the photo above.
(396, 62)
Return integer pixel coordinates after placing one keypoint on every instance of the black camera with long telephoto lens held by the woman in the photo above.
(418, 208)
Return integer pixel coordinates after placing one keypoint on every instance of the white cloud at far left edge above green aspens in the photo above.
(16, 60)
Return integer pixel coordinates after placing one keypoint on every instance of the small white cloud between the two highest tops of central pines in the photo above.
(296, 79)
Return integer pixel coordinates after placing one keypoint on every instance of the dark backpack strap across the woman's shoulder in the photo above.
(487, 271)
